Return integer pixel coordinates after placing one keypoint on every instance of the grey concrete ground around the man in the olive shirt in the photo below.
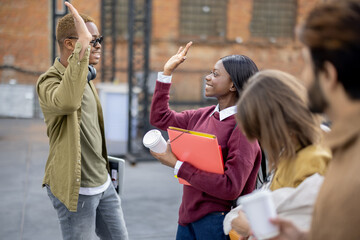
(150, 199)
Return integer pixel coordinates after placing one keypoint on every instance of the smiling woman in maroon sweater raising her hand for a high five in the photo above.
(209, 198)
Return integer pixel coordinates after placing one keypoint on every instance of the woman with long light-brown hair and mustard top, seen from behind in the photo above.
(273, 109)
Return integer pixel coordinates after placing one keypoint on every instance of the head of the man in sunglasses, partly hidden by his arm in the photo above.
(67, 36)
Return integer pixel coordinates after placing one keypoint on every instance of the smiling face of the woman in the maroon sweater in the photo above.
(218, 82)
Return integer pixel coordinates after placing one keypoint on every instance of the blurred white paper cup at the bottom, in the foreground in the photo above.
(259, 208)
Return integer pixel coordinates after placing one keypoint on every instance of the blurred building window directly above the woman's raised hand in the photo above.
(203, 18)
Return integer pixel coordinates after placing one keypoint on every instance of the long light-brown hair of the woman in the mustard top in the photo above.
(273, 109)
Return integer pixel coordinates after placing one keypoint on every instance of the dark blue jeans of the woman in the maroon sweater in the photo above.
(209, 227)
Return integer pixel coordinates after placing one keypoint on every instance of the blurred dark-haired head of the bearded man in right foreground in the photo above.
(331, 35)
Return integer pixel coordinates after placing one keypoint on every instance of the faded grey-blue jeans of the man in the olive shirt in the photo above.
(100, 213)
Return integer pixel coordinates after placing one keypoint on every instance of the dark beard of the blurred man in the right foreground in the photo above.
(317, 102)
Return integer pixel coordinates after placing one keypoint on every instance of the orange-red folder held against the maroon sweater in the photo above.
(200, 149)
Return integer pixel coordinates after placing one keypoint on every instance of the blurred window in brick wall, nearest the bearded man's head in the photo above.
(273, 19)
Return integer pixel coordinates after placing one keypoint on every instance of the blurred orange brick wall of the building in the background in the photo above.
(25, 29)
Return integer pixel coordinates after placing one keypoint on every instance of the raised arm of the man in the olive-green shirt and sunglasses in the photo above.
(62, 94)
